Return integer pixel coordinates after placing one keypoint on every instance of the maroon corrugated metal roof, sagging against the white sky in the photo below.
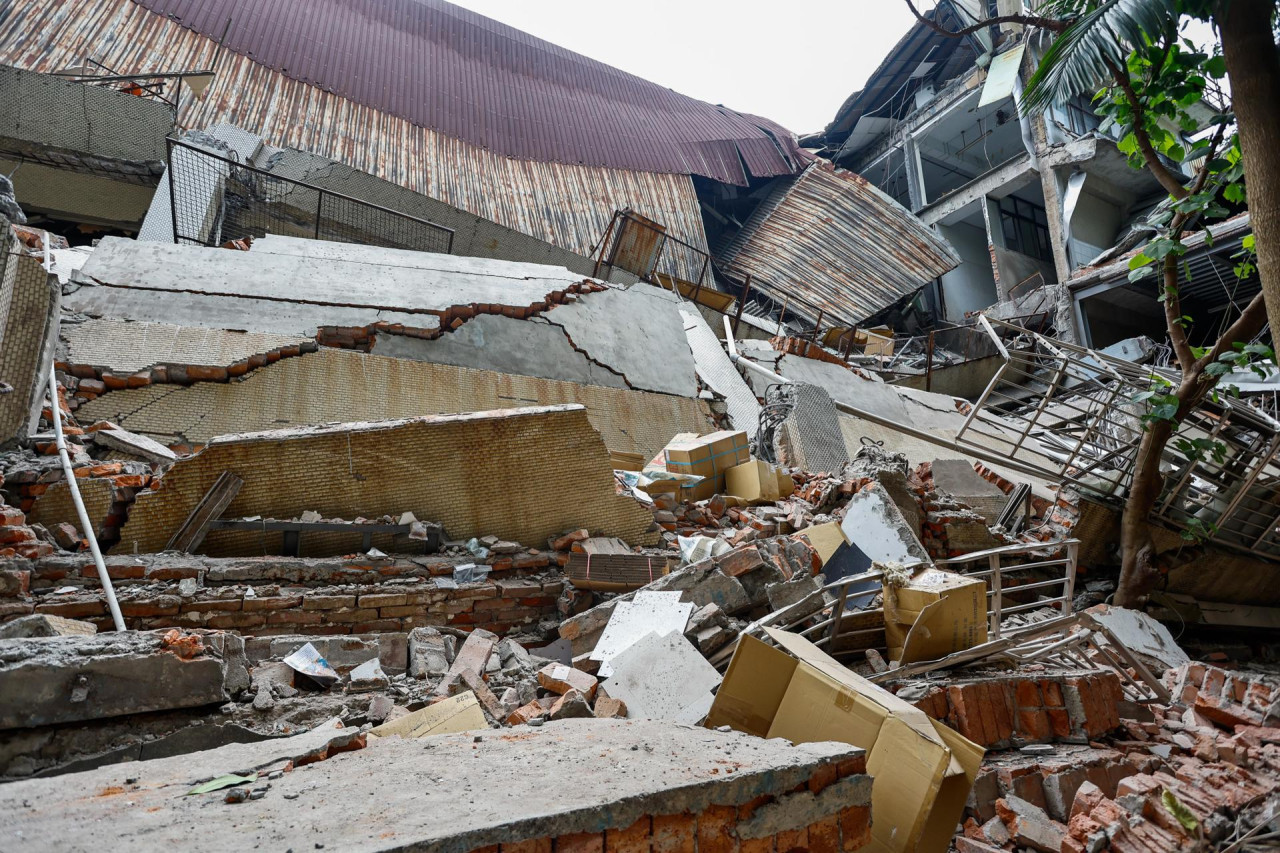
(474, 79)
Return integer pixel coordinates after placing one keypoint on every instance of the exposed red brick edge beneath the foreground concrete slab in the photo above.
(816, 825)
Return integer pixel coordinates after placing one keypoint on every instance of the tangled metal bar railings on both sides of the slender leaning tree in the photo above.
(1078, 416)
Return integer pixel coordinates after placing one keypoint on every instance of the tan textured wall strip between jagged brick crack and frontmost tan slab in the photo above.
(341, 386)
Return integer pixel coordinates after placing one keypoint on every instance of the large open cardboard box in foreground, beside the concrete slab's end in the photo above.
(922, 770)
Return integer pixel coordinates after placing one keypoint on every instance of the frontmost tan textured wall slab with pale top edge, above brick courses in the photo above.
(522, 475)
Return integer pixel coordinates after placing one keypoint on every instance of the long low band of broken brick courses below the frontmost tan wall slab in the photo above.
(289, 596)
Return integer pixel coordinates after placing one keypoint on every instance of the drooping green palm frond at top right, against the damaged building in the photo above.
(1077, 61)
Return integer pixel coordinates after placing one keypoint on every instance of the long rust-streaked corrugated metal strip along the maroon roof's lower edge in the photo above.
(563, 204)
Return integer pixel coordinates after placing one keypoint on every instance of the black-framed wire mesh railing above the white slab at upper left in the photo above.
(216, 200)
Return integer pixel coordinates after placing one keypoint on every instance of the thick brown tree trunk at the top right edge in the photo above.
(1254, 70)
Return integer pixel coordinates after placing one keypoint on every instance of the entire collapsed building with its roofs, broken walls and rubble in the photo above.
(355, 445)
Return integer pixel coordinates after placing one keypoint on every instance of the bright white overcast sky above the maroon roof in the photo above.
(789, 62)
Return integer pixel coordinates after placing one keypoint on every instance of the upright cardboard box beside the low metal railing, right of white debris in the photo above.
(935, 614)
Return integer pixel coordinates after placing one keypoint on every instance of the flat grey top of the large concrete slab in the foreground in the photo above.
(437, 795)
